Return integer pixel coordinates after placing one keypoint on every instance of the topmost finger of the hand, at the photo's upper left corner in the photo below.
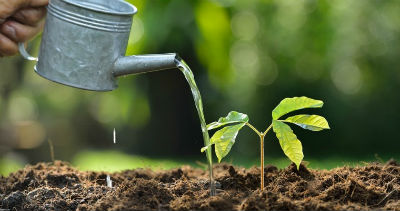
(8, 8)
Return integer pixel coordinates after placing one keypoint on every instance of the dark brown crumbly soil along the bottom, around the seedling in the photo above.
(59, 186)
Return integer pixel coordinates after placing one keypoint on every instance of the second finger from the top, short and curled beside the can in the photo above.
(30, 16)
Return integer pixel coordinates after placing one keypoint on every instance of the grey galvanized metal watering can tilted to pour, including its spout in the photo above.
(84, 42)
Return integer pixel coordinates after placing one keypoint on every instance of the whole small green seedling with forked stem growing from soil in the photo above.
(224, 138)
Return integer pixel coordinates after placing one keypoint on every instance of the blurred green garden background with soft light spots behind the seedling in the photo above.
(246, 56)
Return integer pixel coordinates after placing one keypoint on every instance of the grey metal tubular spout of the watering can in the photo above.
(144, 63)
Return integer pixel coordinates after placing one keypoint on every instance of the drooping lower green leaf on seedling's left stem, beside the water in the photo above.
(224, 139)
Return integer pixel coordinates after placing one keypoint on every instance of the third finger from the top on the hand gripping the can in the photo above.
(19, 32)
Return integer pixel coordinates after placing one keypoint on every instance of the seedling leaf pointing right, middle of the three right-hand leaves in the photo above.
(309, 122)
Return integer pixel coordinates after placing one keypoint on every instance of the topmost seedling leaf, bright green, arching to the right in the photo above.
(296, 103)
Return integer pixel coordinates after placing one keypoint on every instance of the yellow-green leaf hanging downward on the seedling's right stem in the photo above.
(290, 145)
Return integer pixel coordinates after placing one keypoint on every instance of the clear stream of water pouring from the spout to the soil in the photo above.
(199, 106)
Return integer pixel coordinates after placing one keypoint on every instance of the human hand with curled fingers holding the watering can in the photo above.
(20, 20)
